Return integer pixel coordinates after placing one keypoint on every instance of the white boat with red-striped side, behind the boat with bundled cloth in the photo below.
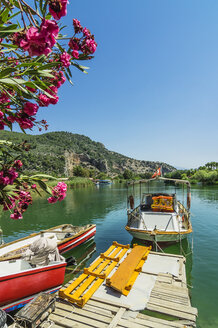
(66, 235)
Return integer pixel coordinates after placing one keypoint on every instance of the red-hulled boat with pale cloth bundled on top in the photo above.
(41, 269)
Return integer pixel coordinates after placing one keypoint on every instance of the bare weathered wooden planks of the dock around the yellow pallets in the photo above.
(169, 296)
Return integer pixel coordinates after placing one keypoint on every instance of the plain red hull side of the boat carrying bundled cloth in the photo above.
(20, 285)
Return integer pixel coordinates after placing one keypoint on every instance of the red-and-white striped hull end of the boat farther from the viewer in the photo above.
(70, 243)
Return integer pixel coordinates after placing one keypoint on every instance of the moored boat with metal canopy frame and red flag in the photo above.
(159, 217)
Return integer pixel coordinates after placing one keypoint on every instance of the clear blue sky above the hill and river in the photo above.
(152, 89)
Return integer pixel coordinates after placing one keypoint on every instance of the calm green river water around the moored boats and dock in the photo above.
(106, 207)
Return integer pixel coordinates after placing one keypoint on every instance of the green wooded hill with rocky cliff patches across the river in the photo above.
(58, 152)
